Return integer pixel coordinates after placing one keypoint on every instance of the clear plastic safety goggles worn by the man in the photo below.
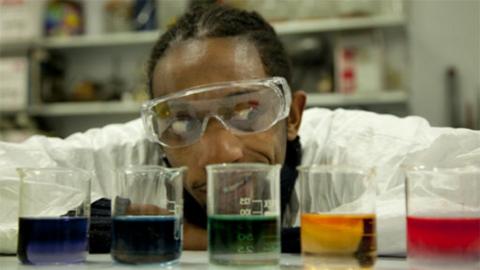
(242, 107)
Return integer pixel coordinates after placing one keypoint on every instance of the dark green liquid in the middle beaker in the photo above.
(250, 240)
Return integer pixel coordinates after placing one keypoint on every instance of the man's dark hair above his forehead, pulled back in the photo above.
(218, 20)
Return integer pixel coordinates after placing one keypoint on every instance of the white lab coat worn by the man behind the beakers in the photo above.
(359, 138)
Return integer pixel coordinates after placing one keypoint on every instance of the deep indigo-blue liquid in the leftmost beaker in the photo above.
(52, 240)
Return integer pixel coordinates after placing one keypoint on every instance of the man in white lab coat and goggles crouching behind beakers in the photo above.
(218, 56)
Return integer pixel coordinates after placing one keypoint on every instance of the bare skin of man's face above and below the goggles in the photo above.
(212, 60)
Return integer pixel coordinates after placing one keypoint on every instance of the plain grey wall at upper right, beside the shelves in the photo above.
(444, 33)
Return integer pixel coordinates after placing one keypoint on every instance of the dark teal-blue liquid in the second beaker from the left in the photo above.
(146, 239)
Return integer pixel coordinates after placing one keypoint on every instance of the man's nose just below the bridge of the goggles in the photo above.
(219, 145)
